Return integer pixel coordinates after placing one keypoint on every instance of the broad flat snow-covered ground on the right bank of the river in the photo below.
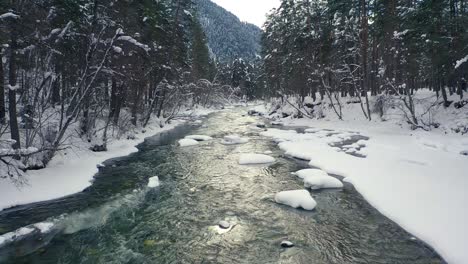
(416, 178)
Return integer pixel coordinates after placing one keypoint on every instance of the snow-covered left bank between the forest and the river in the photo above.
(71, 171)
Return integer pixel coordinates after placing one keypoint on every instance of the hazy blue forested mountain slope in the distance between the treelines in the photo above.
(228, 37)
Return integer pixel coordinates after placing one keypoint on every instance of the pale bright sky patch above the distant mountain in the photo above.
(252, 11)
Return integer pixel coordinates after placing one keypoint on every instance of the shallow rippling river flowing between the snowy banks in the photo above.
(119, 220)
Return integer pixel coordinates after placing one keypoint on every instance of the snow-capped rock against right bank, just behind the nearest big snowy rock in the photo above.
(318, 179)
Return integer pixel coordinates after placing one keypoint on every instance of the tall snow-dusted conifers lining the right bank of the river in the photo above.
(363, 48)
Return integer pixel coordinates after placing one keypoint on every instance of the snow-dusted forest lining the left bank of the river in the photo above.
(94, 67)
